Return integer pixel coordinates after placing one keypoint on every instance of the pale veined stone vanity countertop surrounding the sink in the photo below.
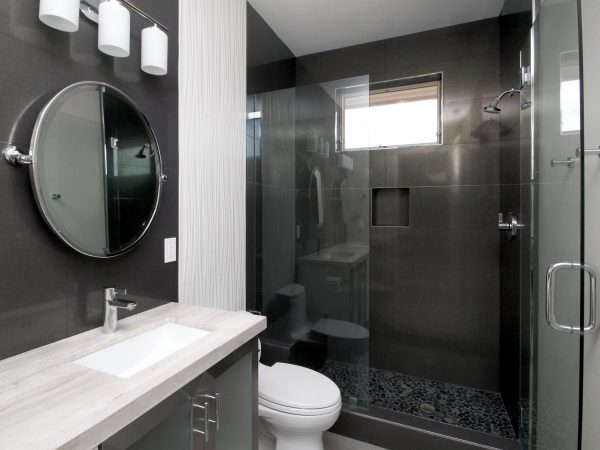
(48, 402)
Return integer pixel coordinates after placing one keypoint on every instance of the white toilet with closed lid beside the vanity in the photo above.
(295, 406)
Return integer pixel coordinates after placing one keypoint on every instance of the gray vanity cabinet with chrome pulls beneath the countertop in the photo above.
(216, 411)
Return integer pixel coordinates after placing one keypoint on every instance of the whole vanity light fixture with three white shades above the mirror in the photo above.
(114, 28)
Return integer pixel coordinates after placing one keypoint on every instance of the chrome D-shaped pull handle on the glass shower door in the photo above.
(551, 297)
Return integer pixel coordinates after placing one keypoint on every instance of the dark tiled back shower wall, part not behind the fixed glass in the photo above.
(434, 287)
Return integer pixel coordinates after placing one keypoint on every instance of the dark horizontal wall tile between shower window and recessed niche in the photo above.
(441, 165)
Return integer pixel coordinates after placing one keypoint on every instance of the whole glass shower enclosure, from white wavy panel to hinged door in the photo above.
(376, 253)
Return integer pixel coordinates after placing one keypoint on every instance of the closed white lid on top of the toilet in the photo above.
(297, 387)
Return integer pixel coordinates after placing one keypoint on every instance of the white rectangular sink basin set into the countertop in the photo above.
(139, 352)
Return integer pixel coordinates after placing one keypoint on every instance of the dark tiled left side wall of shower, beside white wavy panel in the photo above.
(270, 164)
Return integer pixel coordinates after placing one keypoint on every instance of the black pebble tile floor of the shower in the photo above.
(461, 406)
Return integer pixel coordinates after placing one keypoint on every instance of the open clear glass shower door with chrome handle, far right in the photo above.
(558, 274)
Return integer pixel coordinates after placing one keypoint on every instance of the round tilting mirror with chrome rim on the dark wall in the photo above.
(96, 169)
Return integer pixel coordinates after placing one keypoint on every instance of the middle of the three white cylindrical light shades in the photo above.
(114, 23)
